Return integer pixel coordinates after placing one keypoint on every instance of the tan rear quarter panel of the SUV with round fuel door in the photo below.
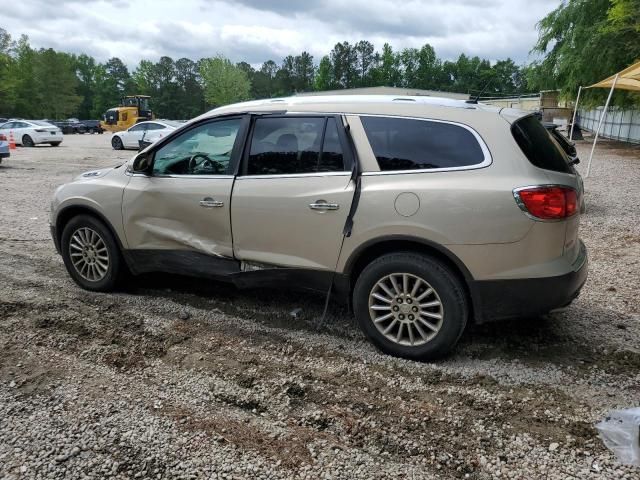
(463, 210)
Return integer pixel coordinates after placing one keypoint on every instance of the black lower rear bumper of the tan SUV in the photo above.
(528, 297)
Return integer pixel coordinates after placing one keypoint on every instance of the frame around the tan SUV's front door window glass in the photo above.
(236, 151)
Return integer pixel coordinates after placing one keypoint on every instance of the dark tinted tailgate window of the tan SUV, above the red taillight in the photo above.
(537, 145)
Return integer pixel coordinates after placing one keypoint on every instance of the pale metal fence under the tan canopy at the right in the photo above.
(619, 124)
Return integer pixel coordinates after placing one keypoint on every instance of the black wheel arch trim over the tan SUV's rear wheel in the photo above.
(377, 247)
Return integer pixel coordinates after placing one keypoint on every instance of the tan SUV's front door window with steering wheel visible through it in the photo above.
(203, 150)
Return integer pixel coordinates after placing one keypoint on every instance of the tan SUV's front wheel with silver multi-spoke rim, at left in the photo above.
(91, 254)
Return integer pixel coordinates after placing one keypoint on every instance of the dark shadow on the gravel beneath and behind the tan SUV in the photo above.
(554, 339)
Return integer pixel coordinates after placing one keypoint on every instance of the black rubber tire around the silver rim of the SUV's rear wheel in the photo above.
(448, 288)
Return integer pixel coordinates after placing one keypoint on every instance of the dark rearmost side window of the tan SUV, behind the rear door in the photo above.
(409, 144)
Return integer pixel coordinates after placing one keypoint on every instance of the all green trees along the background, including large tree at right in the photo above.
(579, 43)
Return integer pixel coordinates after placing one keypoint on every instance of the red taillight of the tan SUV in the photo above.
(548, 203)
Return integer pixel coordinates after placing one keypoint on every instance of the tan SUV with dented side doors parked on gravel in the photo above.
(423, 213)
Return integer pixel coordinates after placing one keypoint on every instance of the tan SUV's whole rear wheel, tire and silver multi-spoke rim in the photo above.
(410, 305)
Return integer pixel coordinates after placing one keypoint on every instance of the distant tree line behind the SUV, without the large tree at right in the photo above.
(44, 83)
